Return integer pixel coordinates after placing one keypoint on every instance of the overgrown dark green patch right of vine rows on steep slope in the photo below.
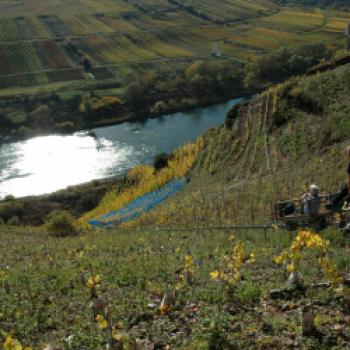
(321, 96)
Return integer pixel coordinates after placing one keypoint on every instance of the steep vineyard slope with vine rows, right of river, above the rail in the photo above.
(272, 147)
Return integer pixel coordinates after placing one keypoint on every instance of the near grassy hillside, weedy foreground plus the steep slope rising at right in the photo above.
(107, 287)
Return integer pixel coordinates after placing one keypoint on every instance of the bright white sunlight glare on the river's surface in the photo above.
(45, 164)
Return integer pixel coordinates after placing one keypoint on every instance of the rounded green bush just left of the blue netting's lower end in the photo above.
(61, 223)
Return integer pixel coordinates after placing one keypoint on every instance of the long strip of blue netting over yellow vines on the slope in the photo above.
(139, 206)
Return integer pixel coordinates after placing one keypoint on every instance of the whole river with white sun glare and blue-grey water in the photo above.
(46, 164)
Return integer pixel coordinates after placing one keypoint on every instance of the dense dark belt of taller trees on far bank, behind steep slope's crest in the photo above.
(205, 82)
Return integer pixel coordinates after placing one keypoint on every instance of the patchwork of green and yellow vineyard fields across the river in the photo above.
(44, 42)
